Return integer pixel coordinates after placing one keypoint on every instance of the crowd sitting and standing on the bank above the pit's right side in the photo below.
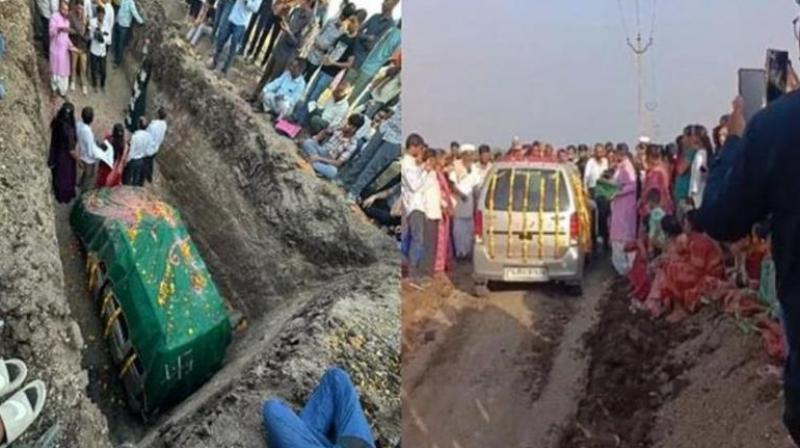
(330, 80)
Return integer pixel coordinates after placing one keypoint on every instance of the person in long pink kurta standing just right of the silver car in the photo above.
(623, 210)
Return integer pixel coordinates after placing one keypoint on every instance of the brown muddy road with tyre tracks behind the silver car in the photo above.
(503, 371)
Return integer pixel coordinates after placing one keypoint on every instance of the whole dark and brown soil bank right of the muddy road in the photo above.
(702, 382)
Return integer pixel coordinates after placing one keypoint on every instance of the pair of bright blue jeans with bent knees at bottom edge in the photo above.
(332, 415)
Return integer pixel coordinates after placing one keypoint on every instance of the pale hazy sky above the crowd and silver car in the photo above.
(559, 70)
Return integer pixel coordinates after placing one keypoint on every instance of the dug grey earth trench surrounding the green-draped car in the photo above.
(314, 282)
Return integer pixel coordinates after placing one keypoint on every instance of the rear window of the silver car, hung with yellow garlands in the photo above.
(534, 177)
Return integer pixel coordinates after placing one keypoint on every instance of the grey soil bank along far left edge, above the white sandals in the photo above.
(38, 326)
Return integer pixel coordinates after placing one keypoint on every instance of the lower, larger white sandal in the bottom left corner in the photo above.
(19, 412)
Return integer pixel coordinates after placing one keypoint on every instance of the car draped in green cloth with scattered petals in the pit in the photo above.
(165, 322)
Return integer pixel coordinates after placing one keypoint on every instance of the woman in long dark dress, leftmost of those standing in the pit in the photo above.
(63, 153)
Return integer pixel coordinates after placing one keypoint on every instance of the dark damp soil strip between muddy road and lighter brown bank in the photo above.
(631, 375)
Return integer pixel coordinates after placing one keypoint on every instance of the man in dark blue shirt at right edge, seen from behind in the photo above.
(752, 178)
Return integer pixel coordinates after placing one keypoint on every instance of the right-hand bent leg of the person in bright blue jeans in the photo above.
(333, 409)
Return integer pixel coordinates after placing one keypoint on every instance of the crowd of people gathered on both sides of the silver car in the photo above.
(698, 220)
